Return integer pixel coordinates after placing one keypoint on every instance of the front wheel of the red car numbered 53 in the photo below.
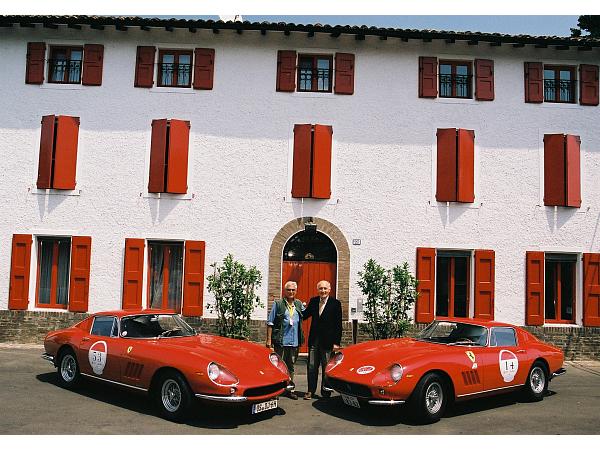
(173, 396)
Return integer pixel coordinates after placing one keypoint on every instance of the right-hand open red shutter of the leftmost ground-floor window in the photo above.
(79, 286)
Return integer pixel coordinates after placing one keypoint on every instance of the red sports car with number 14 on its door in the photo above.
(448, 361)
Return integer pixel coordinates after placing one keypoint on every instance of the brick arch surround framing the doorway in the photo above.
(343, 259)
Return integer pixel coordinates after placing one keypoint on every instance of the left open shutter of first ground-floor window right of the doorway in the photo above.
(424, 308)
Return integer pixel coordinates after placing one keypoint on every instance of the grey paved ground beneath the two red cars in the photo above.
(33, 403)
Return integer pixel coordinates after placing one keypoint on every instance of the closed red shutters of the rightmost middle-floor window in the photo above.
(562, 171)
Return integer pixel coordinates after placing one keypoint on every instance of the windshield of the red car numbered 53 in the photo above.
(155, 326)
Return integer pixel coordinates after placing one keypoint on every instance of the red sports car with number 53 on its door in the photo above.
(159, 353)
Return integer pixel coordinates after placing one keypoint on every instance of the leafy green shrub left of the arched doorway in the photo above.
(234, 287)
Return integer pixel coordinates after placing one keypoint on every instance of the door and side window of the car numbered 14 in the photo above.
(506, 363)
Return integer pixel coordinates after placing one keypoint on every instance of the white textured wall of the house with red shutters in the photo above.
(240, 157)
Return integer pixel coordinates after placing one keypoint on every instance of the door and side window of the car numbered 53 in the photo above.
(99, 350)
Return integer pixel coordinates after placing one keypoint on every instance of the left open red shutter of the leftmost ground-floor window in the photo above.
(18, 293)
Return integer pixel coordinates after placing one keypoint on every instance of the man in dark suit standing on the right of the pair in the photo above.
(324, 336)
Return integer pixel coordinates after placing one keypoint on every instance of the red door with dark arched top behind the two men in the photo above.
(309, 256)
